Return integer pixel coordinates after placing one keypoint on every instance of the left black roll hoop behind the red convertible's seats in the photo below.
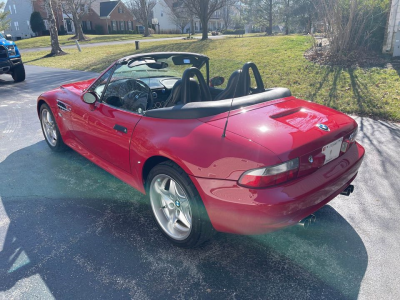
(187, 84)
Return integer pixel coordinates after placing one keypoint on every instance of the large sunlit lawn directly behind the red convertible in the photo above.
(370, 92)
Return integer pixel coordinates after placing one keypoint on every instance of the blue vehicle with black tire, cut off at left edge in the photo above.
(10, 59)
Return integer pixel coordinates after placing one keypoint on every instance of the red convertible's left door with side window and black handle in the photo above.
(105, 128)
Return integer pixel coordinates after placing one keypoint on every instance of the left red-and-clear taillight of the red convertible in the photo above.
(269, 176)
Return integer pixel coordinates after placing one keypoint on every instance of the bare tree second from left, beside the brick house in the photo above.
(75, 10)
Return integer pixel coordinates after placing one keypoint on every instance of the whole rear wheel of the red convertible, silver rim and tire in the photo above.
(177, 207)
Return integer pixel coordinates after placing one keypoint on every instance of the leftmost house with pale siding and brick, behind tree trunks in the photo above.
(104, 17)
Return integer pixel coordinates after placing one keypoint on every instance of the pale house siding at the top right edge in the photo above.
(392, 33)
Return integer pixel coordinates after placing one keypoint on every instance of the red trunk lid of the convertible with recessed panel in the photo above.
(289, 128)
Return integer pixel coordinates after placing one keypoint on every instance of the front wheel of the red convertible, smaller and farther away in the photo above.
(50, 130)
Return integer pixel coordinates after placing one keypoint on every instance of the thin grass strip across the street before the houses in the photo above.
(44, 41)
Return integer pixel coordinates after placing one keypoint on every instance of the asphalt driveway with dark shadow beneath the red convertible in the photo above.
(69, 230)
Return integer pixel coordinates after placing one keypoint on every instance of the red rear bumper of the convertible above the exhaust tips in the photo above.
(235, 209)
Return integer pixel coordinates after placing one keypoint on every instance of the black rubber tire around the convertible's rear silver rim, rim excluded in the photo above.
(201, 229)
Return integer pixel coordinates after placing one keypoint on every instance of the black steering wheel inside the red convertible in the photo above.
(140, 98)
